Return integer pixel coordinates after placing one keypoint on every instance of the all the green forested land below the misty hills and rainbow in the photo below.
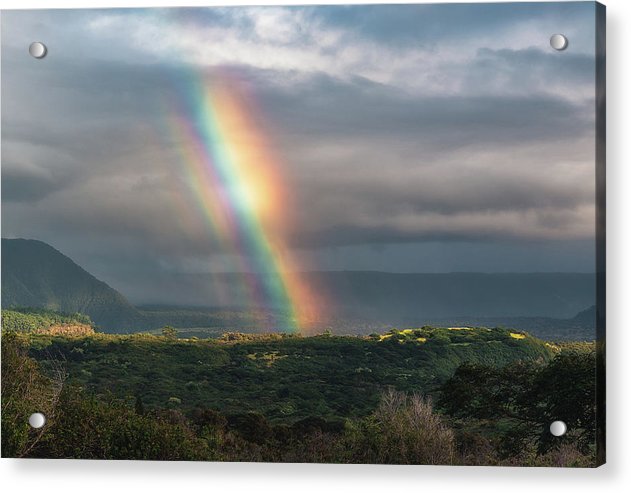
(469, 396)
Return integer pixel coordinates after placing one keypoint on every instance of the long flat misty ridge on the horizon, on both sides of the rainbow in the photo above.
(392, 298)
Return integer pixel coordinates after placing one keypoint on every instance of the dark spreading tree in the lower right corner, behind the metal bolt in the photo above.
(529, 397)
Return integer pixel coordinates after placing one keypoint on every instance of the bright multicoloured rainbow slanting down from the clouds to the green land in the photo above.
(235, 178)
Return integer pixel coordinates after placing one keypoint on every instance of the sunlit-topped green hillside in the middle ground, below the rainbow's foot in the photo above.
(284, 377)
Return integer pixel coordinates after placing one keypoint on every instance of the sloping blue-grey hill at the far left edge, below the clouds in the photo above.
(34, 274)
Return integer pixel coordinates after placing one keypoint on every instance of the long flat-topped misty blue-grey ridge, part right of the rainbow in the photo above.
(410, 296)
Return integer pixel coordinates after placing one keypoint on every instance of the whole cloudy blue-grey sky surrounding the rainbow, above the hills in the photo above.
(418, 138)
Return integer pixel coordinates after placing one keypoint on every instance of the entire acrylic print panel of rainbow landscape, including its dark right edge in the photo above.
(346, 234)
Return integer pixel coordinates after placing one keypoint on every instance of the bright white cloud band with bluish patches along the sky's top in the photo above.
(427, 45)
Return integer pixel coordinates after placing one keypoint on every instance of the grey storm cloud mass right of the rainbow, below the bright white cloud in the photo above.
(365, 151)
